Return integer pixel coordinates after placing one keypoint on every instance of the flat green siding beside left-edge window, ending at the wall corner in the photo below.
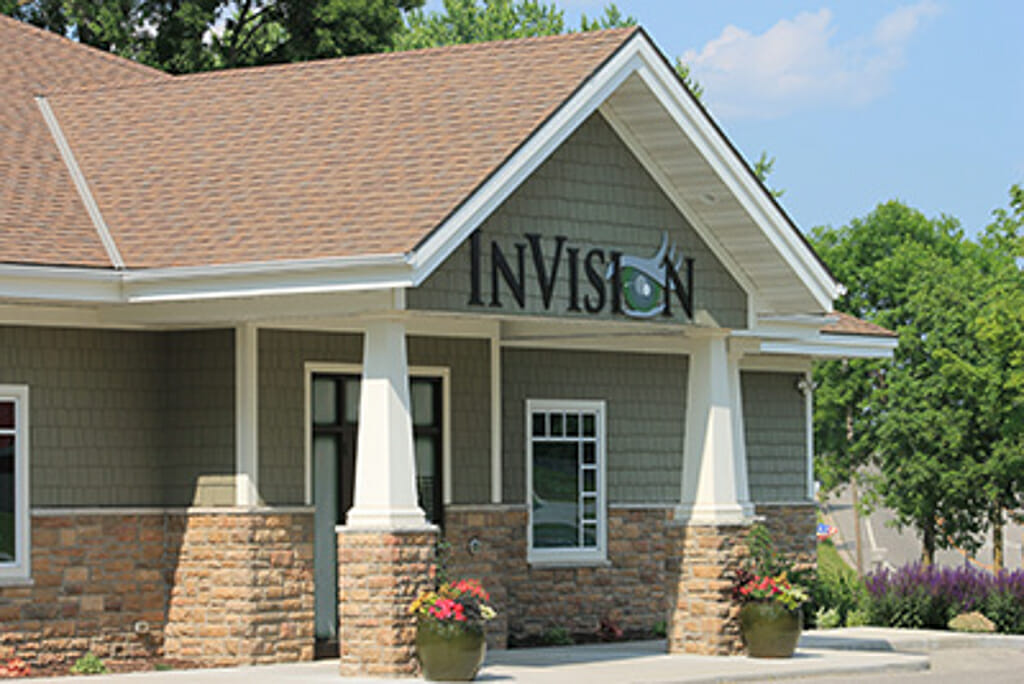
(96, 401)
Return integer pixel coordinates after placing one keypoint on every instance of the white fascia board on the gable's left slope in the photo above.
(525, 161)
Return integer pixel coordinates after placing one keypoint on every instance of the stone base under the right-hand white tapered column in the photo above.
(703, 617)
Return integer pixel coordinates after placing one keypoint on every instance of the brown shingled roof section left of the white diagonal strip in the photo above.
(42, 220)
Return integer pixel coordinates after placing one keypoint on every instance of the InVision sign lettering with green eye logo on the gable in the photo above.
(637, 287)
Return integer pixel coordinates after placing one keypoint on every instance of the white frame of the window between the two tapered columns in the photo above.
(570, 557)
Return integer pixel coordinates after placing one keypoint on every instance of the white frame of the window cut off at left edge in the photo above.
(20, 571)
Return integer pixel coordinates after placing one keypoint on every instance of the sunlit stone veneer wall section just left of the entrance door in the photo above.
(243, 590)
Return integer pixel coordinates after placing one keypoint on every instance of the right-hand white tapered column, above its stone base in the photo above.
(715, 489)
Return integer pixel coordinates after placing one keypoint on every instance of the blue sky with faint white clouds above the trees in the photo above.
(860, 102)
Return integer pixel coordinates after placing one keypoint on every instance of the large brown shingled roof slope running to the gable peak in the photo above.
(355, 157)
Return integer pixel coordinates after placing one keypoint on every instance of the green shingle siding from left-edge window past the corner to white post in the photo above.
(122, 418)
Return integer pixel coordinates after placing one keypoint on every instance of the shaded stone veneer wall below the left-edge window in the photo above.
(94, 577)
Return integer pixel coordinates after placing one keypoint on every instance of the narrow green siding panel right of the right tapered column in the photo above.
(775, 421)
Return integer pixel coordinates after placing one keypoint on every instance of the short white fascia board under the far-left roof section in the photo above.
(60, 284)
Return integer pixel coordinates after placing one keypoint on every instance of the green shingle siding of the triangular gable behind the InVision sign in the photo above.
(595, 193)
